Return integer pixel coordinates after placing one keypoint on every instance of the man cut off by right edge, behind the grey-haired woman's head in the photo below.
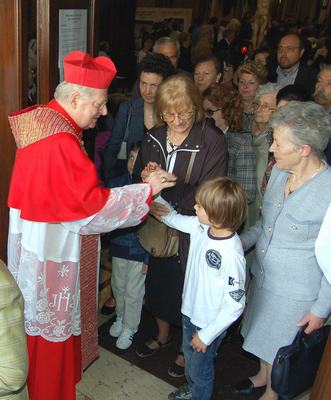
(323, 97)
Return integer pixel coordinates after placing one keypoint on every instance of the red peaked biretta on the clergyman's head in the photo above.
(81, 69)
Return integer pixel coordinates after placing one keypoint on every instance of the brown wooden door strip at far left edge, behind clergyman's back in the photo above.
(13, 84)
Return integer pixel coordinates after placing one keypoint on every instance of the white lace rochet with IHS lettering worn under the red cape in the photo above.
(44, 258)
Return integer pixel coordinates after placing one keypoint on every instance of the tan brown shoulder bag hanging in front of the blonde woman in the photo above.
(157, 238)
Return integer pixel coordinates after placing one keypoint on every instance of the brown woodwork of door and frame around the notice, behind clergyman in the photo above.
(14, 71)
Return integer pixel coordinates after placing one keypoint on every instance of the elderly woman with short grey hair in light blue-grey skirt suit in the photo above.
(288, 289)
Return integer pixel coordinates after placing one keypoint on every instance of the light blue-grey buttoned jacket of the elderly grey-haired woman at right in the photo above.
(285, 236)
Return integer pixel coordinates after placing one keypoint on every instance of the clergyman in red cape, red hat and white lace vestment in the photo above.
(57, 208)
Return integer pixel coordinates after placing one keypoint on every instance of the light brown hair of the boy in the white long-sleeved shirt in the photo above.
(224, 201)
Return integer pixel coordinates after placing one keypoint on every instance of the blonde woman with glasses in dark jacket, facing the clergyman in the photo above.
(183, 142)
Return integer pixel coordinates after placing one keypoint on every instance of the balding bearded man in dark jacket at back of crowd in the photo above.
(291, 68)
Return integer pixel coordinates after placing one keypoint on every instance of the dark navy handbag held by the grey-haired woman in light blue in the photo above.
(295, 366)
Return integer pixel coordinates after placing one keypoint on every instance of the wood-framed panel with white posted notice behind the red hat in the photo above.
(62, 26)
